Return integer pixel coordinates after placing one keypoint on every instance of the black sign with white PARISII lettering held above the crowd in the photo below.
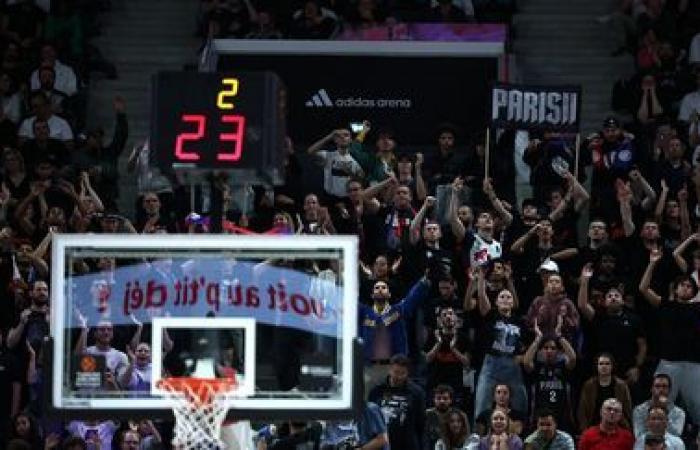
(526, 106)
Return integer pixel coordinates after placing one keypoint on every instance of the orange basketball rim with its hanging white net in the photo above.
(200, 406)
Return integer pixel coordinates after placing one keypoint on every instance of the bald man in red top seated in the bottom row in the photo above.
(608, 435)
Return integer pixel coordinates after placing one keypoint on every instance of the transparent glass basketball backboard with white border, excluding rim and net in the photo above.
(279, 312)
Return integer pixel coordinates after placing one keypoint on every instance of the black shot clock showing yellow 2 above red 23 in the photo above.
(218, 121)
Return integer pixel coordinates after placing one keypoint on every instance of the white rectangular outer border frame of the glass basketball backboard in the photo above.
(352, 393)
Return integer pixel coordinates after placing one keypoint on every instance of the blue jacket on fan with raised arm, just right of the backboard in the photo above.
(393, 320)
